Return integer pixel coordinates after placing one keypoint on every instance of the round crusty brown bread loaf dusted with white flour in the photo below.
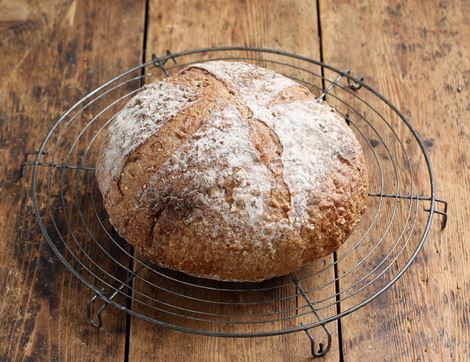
(232, 172)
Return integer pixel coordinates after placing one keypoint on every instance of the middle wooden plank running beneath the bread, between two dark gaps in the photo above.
(178, 25)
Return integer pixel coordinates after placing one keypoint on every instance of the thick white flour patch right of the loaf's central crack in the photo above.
(307, 130)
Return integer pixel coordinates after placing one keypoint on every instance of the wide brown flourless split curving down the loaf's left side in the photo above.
(157, 149)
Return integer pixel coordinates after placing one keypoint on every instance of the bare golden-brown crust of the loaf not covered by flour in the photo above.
(168, 222)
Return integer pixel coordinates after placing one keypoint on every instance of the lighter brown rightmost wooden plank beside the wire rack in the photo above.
(419, 58)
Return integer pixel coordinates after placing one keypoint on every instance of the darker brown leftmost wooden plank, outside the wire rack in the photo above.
(53, 52)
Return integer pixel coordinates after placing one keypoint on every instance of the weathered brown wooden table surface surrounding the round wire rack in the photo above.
(52, 52)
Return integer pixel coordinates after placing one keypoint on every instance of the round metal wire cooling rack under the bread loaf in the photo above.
(400, 210)
